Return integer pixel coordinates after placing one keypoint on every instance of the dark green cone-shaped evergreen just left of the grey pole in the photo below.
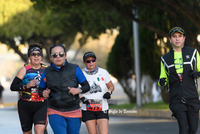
(120, 61)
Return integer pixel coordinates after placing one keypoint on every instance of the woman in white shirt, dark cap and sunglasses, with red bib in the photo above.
(94, 103)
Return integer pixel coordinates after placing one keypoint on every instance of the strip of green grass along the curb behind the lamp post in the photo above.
(156, 105)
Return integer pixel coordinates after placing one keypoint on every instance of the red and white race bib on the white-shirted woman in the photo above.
(95, 105)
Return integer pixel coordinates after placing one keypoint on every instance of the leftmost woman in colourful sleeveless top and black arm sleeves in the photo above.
(32, 108)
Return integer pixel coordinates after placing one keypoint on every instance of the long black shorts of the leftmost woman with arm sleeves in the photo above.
(31, 113)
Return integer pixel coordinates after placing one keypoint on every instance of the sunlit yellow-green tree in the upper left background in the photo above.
(27, 25)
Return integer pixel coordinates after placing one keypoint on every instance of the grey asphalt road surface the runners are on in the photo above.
(9, 124)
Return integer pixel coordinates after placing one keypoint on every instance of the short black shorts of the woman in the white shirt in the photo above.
(94, 115)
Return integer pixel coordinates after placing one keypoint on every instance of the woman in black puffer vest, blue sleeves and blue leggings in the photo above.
(62, 79)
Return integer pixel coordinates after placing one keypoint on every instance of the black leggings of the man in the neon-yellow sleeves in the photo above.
(187, 121)
